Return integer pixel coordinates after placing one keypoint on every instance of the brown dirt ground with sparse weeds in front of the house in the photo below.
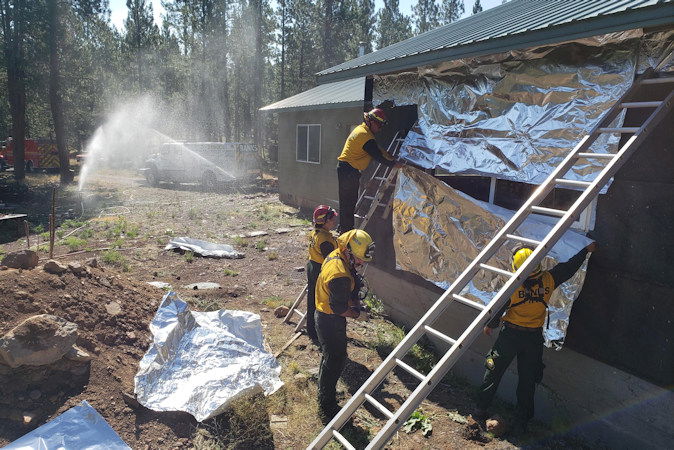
(125, 224)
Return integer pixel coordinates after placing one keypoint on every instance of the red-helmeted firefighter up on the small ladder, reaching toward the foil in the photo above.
(359, 149)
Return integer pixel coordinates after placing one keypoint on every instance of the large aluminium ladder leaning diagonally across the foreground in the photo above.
(457, 346)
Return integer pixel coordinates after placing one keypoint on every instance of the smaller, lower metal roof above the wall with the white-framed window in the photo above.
(340, 94)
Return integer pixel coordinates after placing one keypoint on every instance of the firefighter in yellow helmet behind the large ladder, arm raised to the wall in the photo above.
(522, 335)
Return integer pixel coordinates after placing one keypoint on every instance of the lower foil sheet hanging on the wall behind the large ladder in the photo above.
(438, 231)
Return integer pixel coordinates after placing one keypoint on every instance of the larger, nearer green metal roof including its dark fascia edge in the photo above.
(517, 24)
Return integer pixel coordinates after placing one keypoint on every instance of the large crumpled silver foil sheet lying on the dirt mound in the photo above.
(199, 362)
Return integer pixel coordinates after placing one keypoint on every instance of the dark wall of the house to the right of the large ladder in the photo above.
(625, 313)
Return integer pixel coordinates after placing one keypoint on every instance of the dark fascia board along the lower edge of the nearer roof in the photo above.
(642, 18)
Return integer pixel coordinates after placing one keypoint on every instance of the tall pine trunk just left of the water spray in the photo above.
(55, 91)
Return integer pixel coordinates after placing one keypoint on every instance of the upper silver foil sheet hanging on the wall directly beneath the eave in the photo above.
(516, 115)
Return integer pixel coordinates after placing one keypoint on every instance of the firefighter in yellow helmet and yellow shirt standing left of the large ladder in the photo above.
(336, 299)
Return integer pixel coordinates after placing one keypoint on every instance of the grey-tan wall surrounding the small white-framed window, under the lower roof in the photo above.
(305, 184)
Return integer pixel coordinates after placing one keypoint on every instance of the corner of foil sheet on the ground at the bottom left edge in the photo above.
(81, 427)
